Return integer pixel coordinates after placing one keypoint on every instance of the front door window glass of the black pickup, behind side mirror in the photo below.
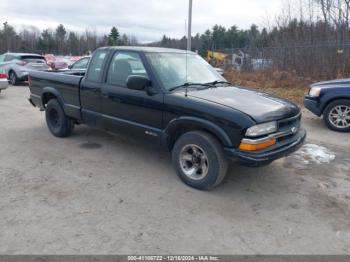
(122, 66)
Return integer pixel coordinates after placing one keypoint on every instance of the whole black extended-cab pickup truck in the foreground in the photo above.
(174, 98)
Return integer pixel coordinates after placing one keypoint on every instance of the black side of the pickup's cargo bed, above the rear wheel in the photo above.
(64, 84)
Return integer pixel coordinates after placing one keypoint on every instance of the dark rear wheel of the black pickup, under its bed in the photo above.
(58, 123)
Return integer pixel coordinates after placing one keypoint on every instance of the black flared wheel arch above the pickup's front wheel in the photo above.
(181, 126)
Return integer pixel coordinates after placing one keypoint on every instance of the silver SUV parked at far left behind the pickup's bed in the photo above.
(17, 65)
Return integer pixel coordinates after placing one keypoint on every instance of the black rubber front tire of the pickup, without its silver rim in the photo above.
(215, 158)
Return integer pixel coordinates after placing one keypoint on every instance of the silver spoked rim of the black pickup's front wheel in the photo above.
(194, 162)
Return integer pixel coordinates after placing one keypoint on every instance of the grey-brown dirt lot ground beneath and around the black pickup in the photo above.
(100, 193)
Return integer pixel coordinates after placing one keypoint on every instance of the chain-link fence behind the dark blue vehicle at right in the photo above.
(321, 61)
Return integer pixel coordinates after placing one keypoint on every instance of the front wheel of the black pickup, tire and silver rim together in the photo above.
(199, 160)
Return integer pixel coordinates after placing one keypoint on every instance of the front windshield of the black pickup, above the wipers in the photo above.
(176, 69)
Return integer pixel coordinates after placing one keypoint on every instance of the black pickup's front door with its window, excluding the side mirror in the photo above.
(135, 111)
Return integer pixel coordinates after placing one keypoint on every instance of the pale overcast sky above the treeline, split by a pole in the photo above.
(148, 20)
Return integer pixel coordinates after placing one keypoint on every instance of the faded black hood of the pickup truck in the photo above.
(261, 107)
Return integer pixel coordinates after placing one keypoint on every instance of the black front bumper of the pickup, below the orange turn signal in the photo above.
(265, 157)
